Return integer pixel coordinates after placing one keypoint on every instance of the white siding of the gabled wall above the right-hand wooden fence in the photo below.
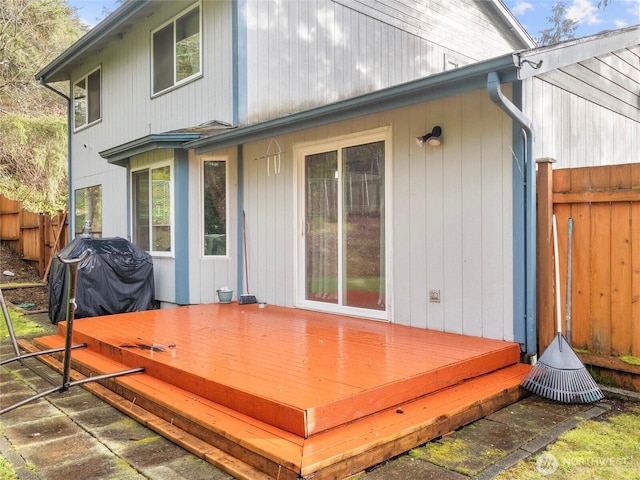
(586, 114)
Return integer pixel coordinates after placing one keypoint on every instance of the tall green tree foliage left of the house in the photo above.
(32, 118)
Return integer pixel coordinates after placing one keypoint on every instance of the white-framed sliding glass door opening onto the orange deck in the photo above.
(344, 227)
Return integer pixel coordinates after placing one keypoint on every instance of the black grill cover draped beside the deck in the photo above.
(116, 278)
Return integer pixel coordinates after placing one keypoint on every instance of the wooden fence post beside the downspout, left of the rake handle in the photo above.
(546, 315)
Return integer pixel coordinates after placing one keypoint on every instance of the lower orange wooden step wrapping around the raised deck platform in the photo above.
(285, 448)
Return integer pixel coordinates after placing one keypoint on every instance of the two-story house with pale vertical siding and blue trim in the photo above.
(374, 159)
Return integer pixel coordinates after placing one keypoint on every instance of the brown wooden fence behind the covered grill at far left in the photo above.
(35, 237)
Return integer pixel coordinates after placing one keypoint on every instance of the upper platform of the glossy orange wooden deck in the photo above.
(305, 387)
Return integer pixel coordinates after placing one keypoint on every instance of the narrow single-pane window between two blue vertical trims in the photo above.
(214, 208)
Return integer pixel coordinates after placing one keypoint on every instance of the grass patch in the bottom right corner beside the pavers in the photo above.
(595, 449)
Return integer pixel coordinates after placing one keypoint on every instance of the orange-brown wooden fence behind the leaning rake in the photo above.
(604, 205)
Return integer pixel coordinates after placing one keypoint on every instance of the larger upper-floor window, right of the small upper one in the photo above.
(176, 49)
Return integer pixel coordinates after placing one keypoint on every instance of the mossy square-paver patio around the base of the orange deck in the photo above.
(76, 435)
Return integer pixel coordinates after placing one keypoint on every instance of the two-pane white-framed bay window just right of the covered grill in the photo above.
(152, 208)
